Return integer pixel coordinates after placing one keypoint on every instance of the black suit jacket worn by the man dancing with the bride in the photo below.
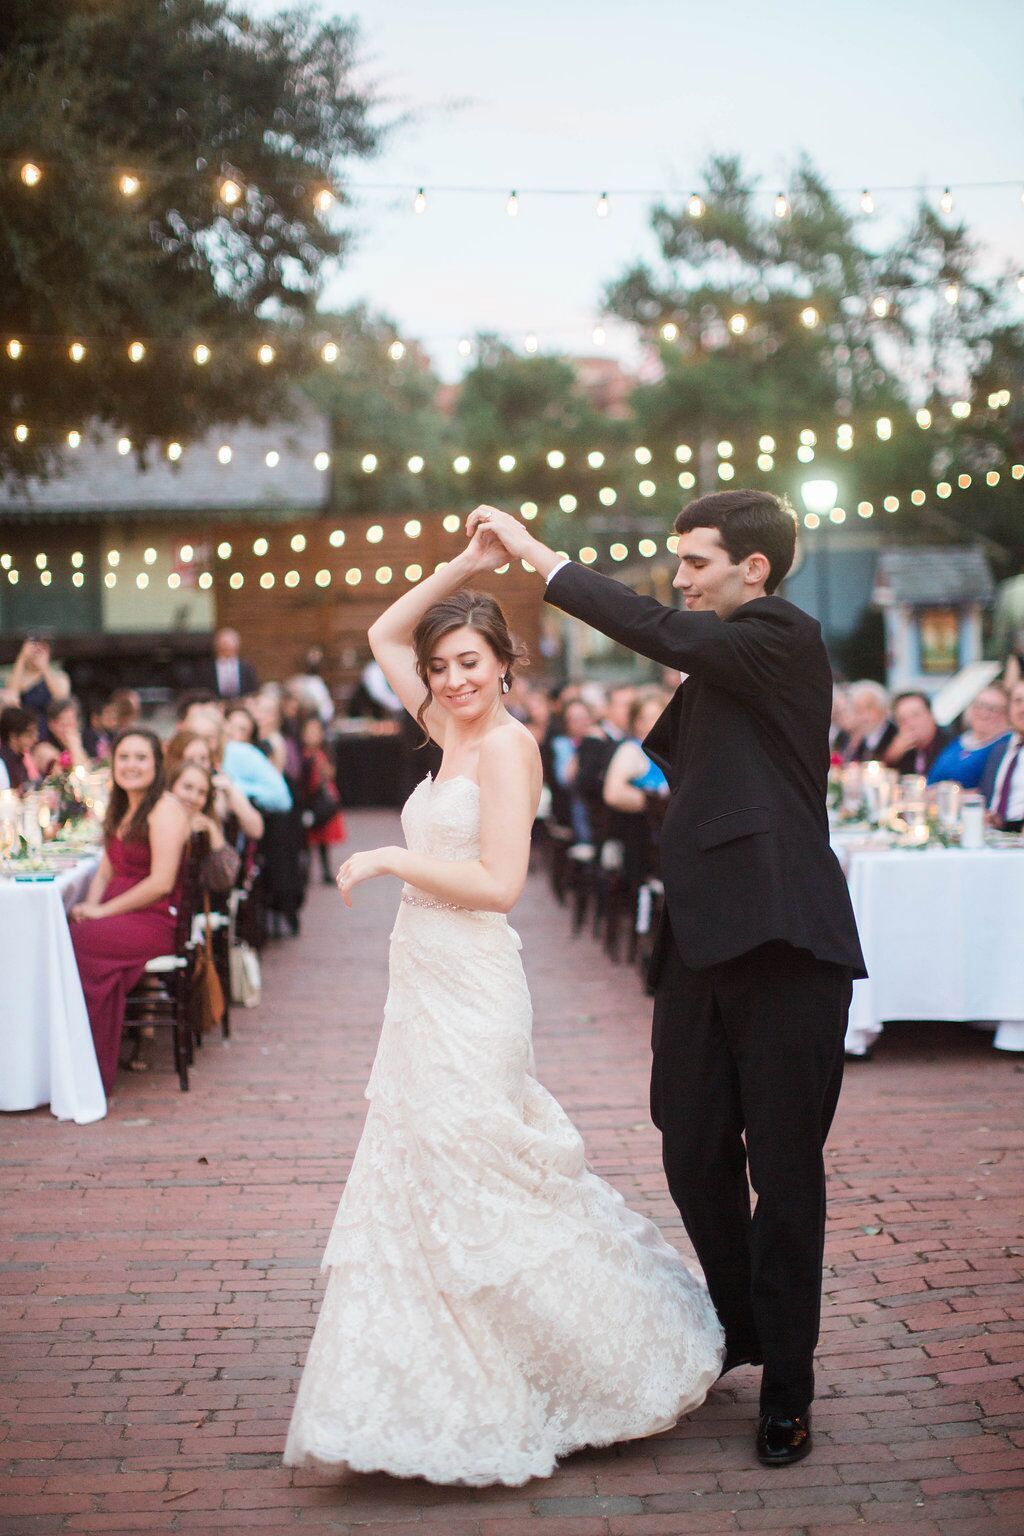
(745, 747)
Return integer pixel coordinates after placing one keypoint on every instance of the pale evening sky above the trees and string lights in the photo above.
(610, 94)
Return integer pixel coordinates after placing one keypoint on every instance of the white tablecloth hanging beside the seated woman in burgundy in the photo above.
(47, 1054)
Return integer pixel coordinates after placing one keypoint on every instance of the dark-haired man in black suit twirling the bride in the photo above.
(755, 959)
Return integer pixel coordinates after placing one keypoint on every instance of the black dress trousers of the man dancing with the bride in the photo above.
(753, 1047)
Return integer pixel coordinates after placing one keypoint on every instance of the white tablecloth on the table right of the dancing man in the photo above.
(940, 930)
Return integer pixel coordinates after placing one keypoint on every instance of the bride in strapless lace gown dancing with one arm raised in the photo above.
(491, 1303)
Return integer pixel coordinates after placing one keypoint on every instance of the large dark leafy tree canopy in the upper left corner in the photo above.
(179, 94)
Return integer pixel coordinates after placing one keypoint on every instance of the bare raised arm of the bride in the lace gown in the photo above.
(392, 635)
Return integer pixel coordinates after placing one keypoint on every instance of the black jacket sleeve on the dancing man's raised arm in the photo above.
(744, 654)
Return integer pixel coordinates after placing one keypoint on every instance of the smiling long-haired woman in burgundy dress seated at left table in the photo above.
(128, 916)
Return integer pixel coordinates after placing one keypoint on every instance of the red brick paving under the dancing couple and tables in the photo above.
(162, 1279)
